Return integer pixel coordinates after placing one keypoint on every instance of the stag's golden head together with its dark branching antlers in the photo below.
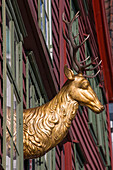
(80, 89)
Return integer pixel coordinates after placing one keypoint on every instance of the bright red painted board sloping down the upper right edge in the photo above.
(104, 45)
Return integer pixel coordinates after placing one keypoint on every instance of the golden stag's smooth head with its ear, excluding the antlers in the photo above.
(80, 90)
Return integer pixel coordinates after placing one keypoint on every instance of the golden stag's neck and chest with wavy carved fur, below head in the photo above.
(46, 126)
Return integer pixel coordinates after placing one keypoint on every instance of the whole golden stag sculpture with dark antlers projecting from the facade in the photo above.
(46, 126)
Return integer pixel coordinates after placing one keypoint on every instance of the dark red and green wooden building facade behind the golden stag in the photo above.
(33, 54)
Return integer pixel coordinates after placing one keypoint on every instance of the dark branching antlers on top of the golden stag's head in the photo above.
(74, 47)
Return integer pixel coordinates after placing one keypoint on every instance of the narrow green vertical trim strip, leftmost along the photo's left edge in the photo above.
(4, 82)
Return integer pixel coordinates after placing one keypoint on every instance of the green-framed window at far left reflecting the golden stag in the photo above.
(12, 91)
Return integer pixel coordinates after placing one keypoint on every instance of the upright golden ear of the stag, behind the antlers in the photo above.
(68, 73)
